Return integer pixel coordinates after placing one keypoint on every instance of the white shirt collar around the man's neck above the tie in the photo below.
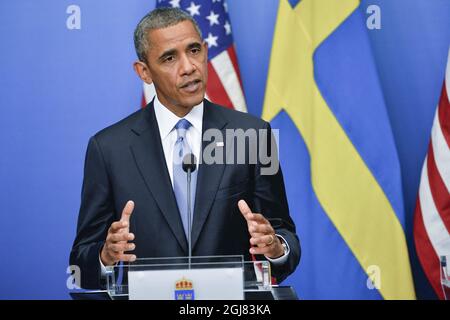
(167, 119)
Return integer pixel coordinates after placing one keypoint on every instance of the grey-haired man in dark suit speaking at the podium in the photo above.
(134, 193)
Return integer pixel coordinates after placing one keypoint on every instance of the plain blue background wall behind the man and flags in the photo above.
(60, 86)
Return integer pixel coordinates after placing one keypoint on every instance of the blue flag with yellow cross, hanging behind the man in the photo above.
(338, 153)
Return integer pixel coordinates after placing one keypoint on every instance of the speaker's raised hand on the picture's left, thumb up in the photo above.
(116, 243)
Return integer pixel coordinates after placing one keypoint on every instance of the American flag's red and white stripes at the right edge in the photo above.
(432, 216)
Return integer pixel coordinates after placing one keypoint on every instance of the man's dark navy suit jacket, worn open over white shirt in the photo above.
(126, 162)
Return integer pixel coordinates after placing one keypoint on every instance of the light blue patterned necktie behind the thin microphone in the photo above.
(180, 149)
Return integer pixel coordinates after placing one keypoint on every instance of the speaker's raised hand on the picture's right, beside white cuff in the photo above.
(263, 238)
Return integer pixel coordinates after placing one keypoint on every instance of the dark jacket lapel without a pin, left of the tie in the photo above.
(149, 156)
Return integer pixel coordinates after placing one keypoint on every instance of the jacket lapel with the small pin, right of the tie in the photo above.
(209, 176)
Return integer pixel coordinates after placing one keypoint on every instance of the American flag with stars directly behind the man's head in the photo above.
(224, 85)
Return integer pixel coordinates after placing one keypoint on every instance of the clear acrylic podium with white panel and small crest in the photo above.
(184, 278)
